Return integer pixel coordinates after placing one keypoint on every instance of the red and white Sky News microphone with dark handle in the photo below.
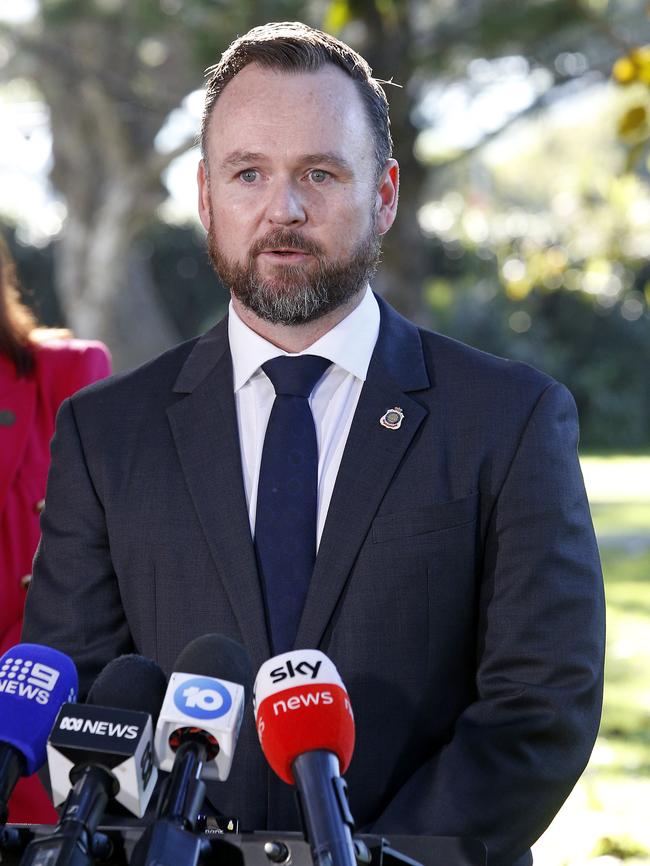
(306, 729)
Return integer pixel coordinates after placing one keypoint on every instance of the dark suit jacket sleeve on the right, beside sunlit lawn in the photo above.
(517, 751)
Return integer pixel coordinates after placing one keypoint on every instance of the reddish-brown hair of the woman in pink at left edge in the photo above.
(16, 320)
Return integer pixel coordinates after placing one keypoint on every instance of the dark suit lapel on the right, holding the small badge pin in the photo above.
(370, 460)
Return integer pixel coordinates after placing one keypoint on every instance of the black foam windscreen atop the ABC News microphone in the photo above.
(130, 682)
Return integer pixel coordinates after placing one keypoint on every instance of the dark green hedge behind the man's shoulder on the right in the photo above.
(602, 357)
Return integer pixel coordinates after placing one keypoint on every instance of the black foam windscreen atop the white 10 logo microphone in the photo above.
(215, 655)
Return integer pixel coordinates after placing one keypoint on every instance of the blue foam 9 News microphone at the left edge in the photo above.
(34, 681)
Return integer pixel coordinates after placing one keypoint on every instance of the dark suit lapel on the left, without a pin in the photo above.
(204, 426)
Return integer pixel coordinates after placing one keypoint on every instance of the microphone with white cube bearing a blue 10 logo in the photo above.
(195, 739)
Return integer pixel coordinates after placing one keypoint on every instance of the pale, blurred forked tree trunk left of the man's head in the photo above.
(108, 170)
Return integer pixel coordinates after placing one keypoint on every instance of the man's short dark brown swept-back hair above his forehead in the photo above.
(294, 47)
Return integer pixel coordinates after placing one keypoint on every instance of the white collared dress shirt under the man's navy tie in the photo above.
(349, 345)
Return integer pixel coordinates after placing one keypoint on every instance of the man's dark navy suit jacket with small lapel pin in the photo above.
(457, 586)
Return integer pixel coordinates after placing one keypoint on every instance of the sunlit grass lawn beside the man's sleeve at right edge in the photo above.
(608, 813)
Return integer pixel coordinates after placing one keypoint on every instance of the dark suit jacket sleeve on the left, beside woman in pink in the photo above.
(73, 603)
